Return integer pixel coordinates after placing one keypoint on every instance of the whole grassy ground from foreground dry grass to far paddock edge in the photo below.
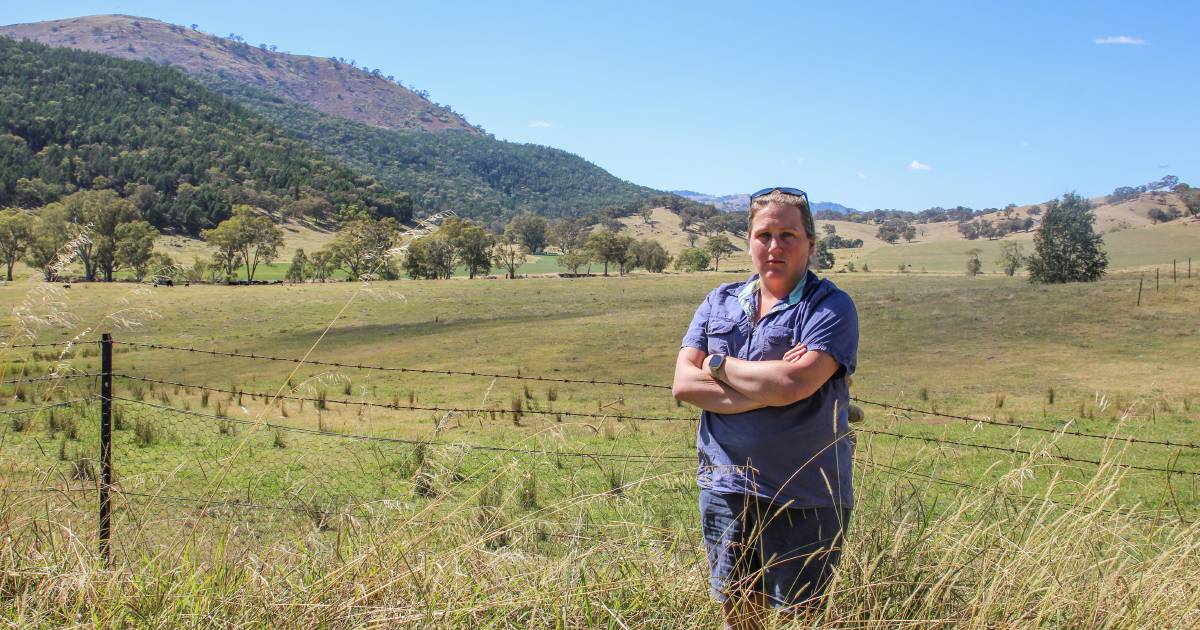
(221, 519)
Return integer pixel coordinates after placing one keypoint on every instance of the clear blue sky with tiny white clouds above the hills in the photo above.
(902, 106)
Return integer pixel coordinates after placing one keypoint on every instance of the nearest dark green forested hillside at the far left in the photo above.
(73, 121)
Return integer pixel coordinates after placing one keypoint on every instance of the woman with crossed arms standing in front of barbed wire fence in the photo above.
(769, 362)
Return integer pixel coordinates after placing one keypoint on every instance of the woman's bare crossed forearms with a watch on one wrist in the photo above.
(748, 386)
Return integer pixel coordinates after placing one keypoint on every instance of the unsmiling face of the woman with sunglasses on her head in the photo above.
(779, 247)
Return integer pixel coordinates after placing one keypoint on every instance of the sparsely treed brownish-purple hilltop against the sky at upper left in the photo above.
(338, 87)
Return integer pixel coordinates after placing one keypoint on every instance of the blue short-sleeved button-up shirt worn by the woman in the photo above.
(800, 453)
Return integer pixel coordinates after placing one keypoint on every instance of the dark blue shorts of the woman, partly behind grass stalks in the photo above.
(787, 554)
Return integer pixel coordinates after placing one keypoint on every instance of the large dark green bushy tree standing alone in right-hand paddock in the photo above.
(1066, 249)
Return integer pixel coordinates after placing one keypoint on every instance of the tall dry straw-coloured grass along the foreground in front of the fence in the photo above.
(917, 556)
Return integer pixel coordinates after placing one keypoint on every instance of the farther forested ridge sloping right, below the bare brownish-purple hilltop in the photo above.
(475, 176)
